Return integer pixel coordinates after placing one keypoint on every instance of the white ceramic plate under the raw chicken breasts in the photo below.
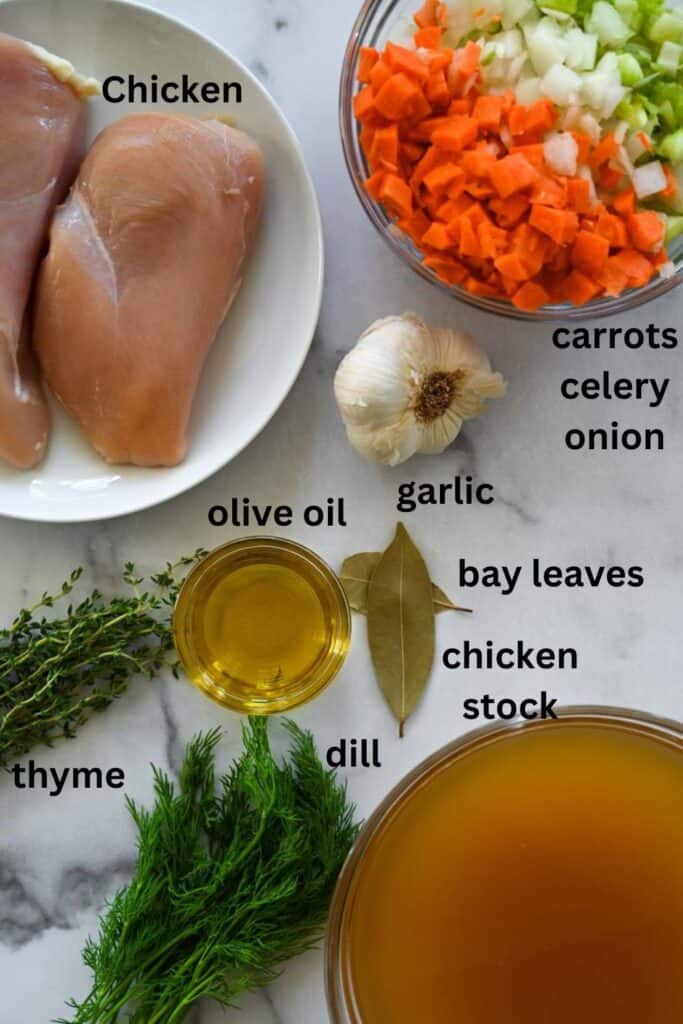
(263, 346)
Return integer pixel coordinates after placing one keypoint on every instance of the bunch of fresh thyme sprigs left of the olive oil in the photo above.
(57, 673)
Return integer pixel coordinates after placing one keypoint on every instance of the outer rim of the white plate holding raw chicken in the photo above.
(145, 504)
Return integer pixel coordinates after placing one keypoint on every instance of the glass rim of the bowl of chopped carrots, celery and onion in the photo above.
(595, 310)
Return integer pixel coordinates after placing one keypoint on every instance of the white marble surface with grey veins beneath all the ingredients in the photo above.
(60, 859)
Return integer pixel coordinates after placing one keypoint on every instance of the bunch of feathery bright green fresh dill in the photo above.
(233, 879)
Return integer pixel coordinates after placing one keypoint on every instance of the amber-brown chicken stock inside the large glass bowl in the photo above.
(537, 880)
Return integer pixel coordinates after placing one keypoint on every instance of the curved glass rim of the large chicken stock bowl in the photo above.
(334, 974)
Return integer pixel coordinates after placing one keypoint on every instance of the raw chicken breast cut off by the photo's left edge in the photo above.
(42, 126)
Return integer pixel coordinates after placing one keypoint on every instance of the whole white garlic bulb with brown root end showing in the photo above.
(407, 389)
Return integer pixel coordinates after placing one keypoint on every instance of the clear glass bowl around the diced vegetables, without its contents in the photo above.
(375, 26)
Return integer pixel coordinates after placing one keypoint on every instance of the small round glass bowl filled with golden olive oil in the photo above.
(263, 625)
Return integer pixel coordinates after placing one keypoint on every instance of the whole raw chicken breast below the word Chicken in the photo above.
(145, 262)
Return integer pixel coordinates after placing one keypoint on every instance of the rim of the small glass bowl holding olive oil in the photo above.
(309, 690)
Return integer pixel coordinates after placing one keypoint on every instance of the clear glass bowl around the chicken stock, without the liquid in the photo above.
(343, 1004)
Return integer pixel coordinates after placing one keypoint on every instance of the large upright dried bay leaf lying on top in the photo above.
(401, 625)
